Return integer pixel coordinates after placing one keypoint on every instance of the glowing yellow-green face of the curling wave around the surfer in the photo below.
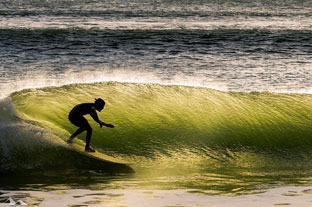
(189, 128)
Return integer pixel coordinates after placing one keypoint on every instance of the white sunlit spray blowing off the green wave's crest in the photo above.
(43, 79)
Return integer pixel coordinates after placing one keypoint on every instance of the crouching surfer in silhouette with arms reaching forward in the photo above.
(76, 117)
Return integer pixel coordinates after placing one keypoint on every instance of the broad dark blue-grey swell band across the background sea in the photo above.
(173, 41)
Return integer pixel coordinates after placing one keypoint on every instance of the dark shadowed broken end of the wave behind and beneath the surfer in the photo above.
(26, 147)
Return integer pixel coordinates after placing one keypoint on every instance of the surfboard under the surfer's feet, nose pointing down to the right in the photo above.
(96, 155)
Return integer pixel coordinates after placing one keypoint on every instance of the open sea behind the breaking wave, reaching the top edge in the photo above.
(233, 45)
